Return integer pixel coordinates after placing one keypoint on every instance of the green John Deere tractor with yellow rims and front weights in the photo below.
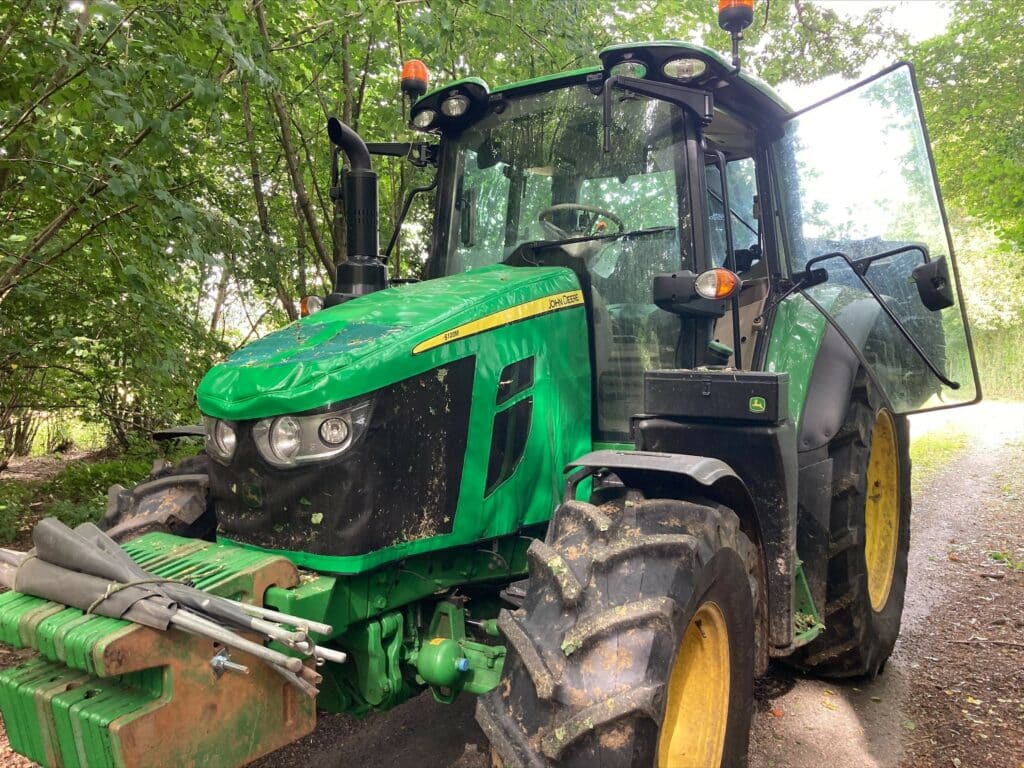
(641, 430)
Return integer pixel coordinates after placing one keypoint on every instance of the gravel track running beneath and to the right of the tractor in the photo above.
(800, 723)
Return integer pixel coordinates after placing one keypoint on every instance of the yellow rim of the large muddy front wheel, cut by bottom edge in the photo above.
(698, 707)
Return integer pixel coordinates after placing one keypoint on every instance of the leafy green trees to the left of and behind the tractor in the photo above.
(164, 168)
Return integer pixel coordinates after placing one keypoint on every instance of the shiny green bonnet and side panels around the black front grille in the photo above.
(367, 344)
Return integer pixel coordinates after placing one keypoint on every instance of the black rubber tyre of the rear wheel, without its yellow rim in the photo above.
(859, 639)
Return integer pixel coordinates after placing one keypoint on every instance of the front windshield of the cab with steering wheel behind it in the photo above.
(535, 172)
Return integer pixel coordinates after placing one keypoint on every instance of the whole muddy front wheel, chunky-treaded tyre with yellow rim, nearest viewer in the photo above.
(635, 644)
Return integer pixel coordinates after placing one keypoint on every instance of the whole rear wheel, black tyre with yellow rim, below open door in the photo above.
(870, 539)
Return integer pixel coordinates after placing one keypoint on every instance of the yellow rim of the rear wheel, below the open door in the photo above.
(882, 510)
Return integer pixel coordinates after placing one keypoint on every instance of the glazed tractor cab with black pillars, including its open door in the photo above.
(667, 164)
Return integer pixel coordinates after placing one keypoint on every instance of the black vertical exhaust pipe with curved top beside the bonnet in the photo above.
(363, 272)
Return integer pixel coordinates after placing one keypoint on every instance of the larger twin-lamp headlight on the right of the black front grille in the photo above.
(287, 441)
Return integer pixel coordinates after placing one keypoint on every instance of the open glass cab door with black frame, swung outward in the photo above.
(868, 243)
